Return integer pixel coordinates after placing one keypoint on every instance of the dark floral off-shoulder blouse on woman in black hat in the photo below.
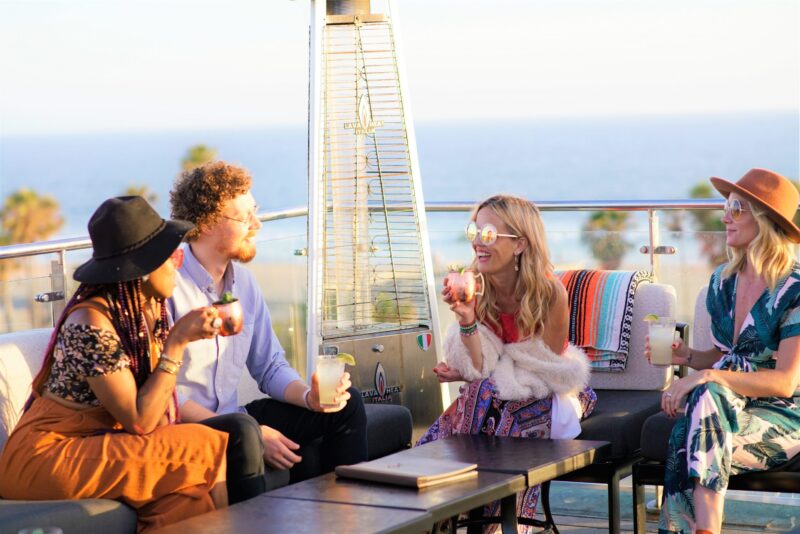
(83, 351)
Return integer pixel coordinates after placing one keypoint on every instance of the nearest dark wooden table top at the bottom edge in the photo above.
(271, 514)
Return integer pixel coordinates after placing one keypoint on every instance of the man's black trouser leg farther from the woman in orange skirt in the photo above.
(343, 433)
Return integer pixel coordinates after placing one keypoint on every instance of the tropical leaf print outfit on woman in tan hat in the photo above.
(724, 433)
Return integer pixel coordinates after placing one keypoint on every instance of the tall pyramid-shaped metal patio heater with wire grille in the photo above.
(370, 279)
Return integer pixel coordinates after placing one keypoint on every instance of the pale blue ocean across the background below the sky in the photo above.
(635, 158)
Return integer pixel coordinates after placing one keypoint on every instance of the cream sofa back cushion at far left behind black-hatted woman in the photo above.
(21, 355)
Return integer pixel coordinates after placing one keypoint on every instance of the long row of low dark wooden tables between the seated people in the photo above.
(506, 466)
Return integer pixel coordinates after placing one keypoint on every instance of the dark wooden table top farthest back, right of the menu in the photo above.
(539, 460)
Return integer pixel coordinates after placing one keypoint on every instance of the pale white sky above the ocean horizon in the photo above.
(110, 66)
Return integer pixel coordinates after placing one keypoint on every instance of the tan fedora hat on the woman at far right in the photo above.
(769, 190)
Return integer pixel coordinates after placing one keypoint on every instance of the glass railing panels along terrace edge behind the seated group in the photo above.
(34, 276)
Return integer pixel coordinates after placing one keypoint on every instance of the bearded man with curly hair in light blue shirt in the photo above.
(216, 198)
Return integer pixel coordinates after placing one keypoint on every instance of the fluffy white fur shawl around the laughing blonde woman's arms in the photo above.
(524, 370)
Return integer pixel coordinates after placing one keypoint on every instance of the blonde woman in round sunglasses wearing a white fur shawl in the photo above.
(510, 344)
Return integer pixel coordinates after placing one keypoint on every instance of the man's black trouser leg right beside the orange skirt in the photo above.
(245, 455)
